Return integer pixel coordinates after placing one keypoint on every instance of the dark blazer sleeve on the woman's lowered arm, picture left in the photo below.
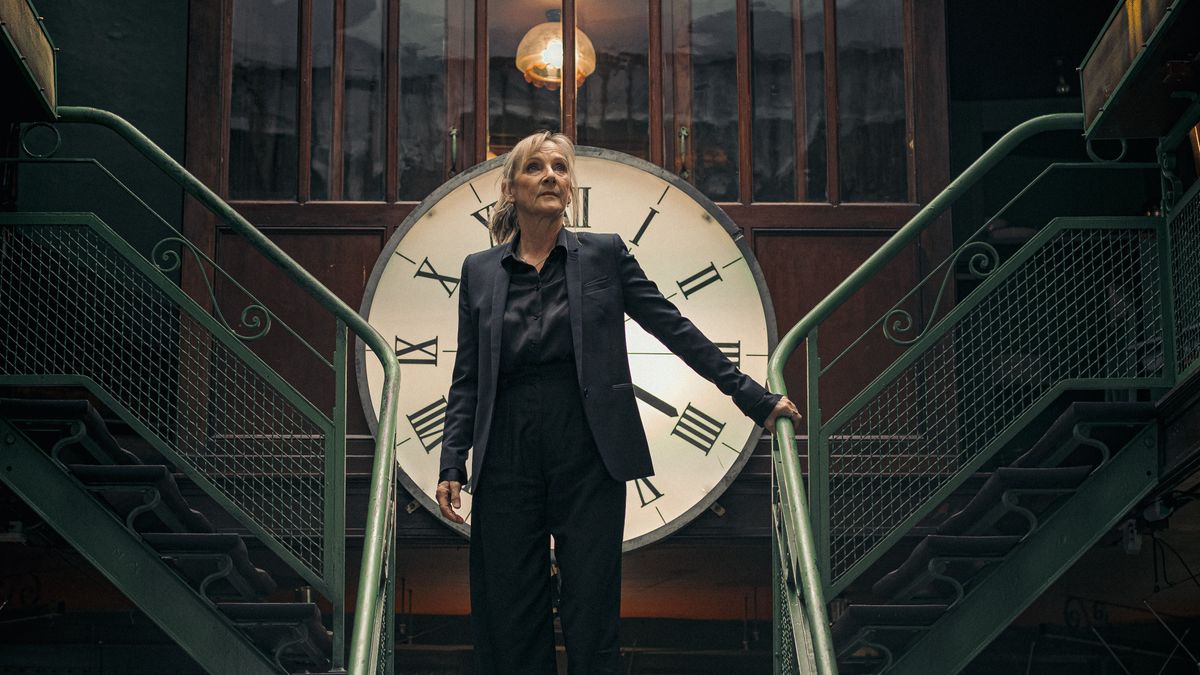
(460, 426)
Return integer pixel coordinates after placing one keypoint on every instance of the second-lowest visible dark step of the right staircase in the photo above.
(945, 560)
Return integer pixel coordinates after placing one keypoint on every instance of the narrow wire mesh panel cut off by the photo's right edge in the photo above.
(1186, 279)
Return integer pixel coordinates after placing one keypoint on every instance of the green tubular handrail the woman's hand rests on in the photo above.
(795, 503)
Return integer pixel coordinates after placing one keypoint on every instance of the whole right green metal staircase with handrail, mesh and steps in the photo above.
(1028, 385)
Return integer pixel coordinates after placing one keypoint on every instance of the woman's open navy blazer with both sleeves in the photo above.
(604, 283)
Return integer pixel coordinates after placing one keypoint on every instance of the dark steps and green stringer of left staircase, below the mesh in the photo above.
(223, 637)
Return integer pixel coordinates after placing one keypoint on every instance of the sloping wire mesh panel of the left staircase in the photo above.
(73, 306)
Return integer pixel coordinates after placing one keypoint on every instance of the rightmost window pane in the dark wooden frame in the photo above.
(872, 121)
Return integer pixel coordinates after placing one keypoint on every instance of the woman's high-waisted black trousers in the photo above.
(543, 476)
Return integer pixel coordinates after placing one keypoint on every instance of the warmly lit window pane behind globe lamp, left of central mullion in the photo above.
(515, 107)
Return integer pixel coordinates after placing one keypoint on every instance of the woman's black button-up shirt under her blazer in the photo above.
(537, 328)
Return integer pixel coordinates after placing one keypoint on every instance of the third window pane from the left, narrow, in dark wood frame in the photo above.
(365, 115)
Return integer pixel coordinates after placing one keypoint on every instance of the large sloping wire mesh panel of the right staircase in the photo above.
(1083, 307)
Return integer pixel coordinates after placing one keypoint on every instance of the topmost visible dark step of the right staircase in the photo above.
(1059, 443)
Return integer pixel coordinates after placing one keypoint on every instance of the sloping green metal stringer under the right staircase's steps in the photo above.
(1013, 584)
